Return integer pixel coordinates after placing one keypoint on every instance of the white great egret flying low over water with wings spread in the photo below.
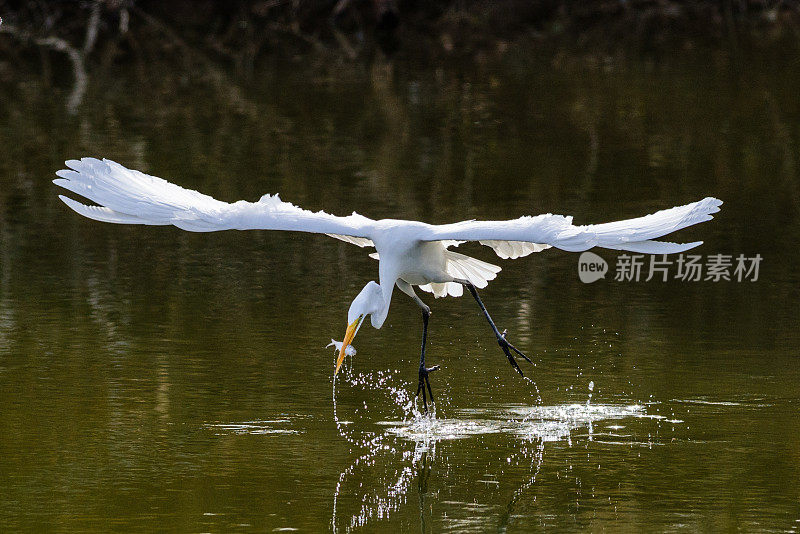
(410, 253)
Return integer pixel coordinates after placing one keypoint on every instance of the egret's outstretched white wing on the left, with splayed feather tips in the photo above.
(127, 196)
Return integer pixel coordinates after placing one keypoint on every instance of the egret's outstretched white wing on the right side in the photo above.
(522, 236)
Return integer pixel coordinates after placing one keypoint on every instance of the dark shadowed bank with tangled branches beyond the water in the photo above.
(243, 33)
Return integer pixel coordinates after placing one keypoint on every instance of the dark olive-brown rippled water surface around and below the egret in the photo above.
(153, 379)
